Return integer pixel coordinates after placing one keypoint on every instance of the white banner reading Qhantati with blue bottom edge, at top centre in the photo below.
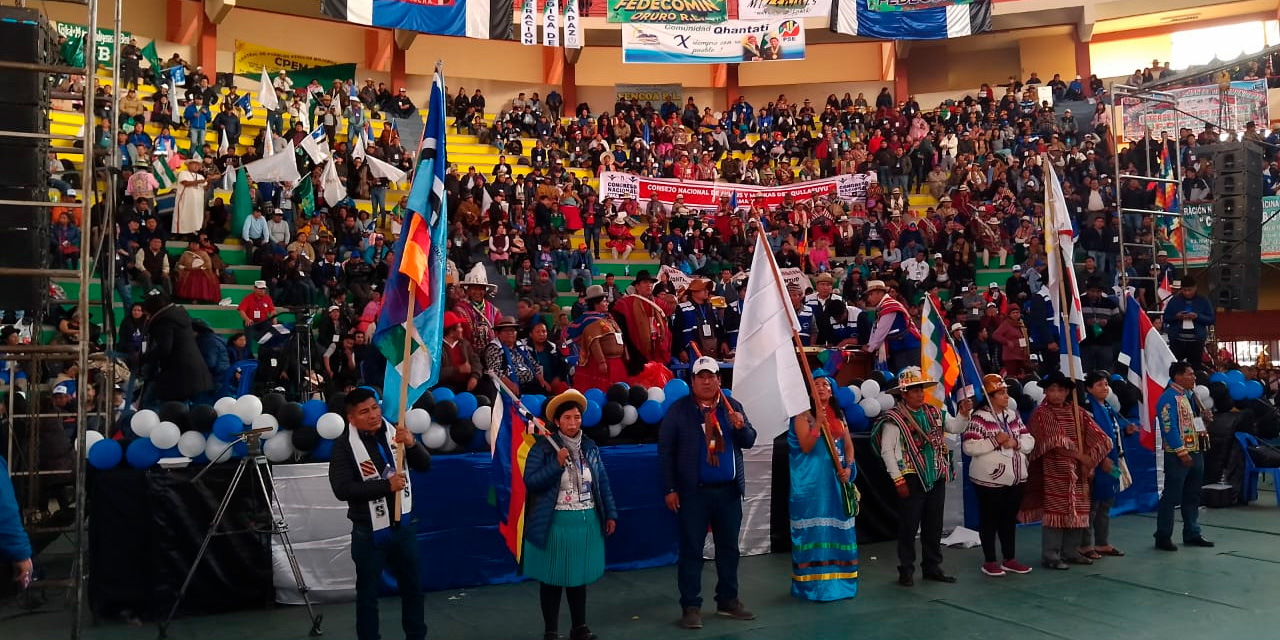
(735, 42)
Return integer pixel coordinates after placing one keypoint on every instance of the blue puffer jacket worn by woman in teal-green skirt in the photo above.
(542, 481)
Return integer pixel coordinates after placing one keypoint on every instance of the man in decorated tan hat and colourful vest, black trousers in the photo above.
(912, 442)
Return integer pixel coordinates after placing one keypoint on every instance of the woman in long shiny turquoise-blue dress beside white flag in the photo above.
(824, 541)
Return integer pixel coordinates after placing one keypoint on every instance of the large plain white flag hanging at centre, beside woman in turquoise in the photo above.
(767, 377)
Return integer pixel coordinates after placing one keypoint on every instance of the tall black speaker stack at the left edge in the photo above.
(26, 36)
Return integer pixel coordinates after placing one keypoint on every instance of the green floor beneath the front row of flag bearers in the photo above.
(1227, 592)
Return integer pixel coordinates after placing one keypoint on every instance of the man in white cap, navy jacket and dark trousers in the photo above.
(701, 446)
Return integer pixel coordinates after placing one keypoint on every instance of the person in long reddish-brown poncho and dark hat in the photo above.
(1069, 446)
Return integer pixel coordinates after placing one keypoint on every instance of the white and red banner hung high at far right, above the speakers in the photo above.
(1242, 103)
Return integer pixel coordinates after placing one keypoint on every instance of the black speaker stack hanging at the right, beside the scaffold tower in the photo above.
(1236, 252)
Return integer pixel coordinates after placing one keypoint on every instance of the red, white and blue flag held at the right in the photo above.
(1149, 359)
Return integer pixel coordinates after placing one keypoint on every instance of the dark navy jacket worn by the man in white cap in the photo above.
(682, 444)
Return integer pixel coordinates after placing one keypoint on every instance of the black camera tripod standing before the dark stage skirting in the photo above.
(280, 527)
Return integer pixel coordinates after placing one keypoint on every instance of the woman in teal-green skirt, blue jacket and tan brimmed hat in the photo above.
(569, 514)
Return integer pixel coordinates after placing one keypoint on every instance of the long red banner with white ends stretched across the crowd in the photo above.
(706, 196)
